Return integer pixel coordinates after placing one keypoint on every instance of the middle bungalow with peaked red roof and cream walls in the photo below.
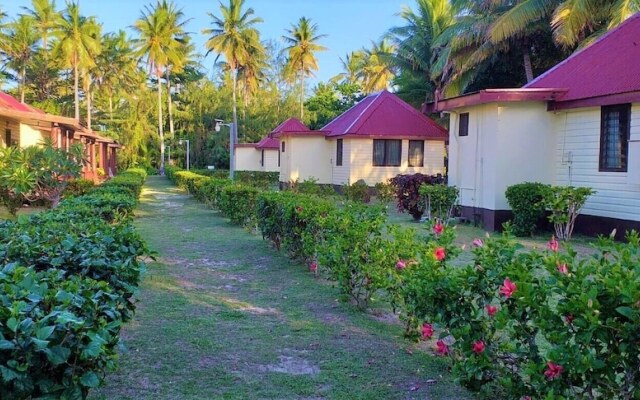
(375, 140)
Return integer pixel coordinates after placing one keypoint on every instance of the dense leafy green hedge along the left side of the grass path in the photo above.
(67, 280)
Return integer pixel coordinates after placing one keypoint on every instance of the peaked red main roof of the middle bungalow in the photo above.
(384, 114)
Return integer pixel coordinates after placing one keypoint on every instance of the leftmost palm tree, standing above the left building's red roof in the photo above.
(18, 46)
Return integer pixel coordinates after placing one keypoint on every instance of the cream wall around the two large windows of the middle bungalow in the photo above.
(361, 160)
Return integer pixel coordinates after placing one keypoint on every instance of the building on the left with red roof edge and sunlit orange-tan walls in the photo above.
(28, 126)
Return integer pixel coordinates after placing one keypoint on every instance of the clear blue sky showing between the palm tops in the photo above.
(348, 24)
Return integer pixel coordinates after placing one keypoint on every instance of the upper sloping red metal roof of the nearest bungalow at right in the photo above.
(607, 67)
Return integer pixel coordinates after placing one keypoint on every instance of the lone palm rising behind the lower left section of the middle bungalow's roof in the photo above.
(302, 41)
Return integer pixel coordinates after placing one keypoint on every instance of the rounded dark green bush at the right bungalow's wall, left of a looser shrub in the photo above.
(527, 203)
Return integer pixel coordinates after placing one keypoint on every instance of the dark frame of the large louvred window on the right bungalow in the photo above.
(624, 133)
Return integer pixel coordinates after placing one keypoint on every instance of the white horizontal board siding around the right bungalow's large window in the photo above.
(577, 163)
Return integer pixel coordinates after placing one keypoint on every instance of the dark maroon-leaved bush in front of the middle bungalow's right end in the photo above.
(407, 192)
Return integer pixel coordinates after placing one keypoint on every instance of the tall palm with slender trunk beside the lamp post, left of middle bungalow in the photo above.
(234, 36)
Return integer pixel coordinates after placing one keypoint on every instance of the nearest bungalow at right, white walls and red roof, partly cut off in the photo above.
(577, 124)
